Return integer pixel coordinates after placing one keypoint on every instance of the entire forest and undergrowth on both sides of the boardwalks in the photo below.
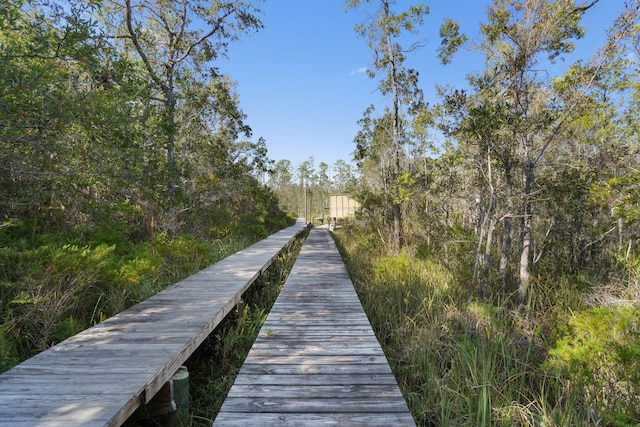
(498, 262)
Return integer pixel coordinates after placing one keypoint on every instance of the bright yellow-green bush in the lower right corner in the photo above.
(600, 353)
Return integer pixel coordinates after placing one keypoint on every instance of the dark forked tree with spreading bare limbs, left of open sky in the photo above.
(171, 38)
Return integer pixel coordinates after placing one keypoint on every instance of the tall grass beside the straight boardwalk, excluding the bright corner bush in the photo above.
(460, 361)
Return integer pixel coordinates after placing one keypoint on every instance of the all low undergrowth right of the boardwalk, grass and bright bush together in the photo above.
(464, 360)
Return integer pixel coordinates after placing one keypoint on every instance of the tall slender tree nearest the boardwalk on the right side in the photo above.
(381, 142)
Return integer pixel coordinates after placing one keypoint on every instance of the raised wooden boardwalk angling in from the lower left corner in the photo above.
(100, 376)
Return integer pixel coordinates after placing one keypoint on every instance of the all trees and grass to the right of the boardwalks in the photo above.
(496, 248)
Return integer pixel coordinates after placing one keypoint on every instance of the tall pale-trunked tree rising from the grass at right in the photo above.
(518, 38)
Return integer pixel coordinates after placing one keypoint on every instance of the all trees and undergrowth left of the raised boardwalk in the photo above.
(86, 227)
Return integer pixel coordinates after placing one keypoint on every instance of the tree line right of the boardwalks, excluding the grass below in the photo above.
(535, 173)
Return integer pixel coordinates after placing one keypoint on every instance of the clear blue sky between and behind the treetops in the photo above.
(301, 82)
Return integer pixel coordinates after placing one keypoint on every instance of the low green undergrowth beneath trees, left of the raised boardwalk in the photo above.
(54, 285)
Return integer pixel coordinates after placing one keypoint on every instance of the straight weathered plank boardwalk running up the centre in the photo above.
(316, 360)
